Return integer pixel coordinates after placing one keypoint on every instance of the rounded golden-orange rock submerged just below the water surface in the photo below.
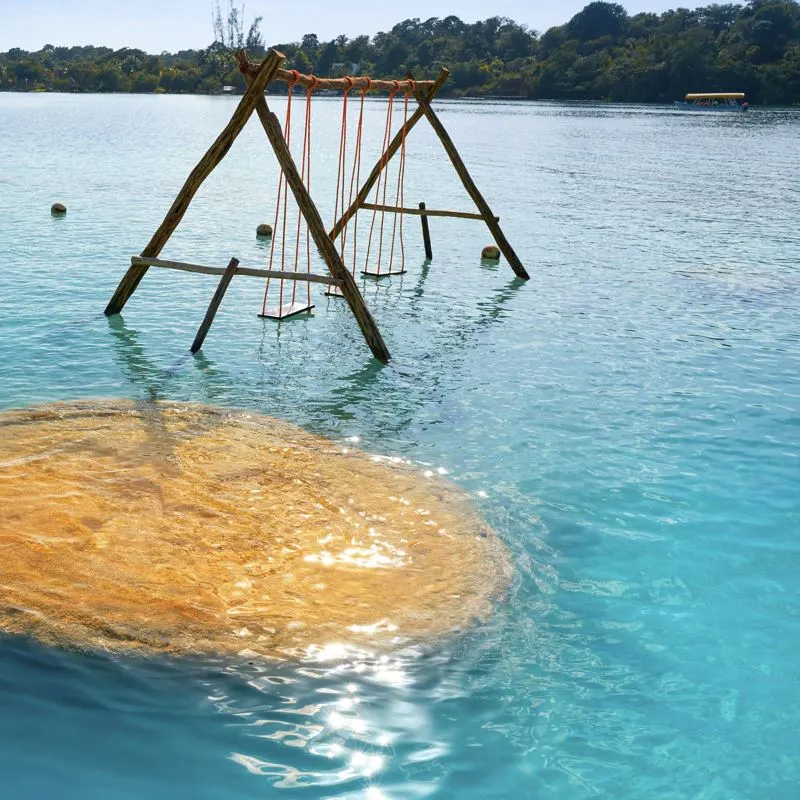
(183, 528)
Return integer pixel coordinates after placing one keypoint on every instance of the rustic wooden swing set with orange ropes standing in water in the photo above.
(340, 281)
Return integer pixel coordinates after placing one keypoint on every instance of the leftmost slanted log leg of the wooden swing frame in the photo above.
(213, 156)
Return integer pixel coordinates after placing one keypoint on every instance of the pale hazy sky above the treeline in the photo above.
(156, 25)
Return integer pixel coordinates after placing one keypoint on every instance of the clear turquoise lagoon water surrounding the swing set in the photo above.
(629, 421)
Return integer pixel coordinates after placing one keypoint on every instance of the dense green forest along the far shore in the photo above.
(602, 53)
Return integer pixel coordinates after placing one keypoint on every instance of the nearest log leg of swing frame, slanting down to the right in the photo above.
(322, 240)
